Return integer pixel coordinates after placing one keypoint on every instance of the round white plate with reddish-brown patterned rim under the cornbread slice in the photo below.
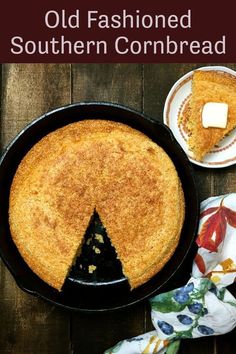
(222, 155)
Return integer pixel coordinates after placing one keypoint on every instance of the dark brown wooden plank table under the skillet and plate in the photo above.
(28, 324)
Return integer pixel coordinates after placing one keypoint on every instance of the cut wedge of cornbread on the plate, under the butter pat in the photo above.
(209, 86)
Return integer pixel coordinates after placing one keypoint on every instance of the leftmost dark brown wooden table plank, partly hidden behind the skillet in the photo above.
(29, 325)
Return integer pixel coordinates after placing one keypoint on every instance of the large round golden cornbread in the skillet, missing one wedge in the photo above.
(104, 166)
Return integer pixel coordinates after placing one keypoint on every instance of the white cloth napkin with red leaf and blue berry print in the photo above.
(203, 306)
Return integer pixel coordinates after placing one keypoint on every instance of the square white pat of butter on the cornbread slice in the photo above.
(215, 115)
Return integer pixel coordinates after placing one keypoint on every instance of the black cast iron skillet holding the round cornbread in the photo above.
(82, 292)
